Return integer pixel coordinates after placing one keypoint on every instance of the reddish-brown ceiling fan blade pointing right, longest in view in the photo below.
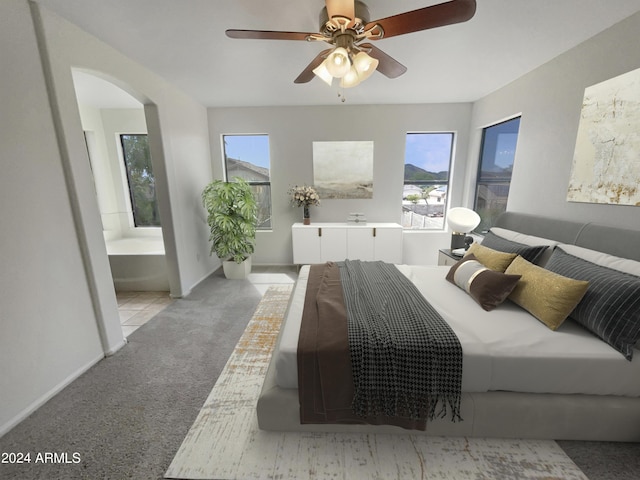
(448, 13)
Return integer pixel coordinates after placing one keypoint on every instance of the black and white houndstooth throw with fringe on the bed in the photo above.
(405, 358)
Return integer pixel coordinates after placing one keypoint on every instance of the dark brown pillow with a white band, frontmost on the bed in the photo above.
(487, 287)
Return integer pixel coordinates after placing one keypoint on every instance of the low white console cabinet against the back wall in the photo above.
(323, 242)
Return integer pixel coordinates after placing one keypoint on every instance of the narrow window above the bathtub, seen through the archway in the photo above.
(142, 185)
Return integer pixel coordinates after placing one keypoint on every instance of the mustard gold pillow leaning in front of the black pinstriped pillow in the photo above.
(546, 295)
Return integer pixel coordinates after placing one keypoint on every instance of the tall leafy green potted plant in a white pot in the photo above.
(232, 217)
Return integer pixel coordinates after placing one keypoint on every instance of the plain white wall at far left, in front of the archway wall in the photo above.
(48, 330)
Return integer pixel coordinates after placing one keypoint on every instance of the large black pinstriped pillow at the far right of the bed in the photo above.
(611, 307)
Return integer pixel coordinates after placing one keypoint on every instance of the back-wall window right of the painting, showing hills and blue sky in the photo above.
(427, 162)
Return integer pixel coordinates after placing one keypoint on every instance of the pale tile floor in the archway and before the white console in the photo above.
(137, 308)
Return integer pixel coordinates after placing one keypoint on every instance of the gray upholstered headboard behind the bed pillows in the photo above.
(614, 241)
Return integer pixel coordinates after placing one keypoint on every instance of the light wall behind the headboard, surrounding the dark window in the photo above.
(550, 100)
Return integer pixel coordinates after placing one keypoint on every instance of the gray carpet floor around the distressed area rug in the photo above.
(129, 414)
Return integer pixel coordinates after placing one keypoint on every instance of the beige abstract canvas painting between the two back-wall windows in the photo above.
(343, 169)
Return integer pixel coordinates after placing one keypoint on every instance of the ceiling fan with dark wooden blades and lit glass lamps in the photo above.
(344, 24)
